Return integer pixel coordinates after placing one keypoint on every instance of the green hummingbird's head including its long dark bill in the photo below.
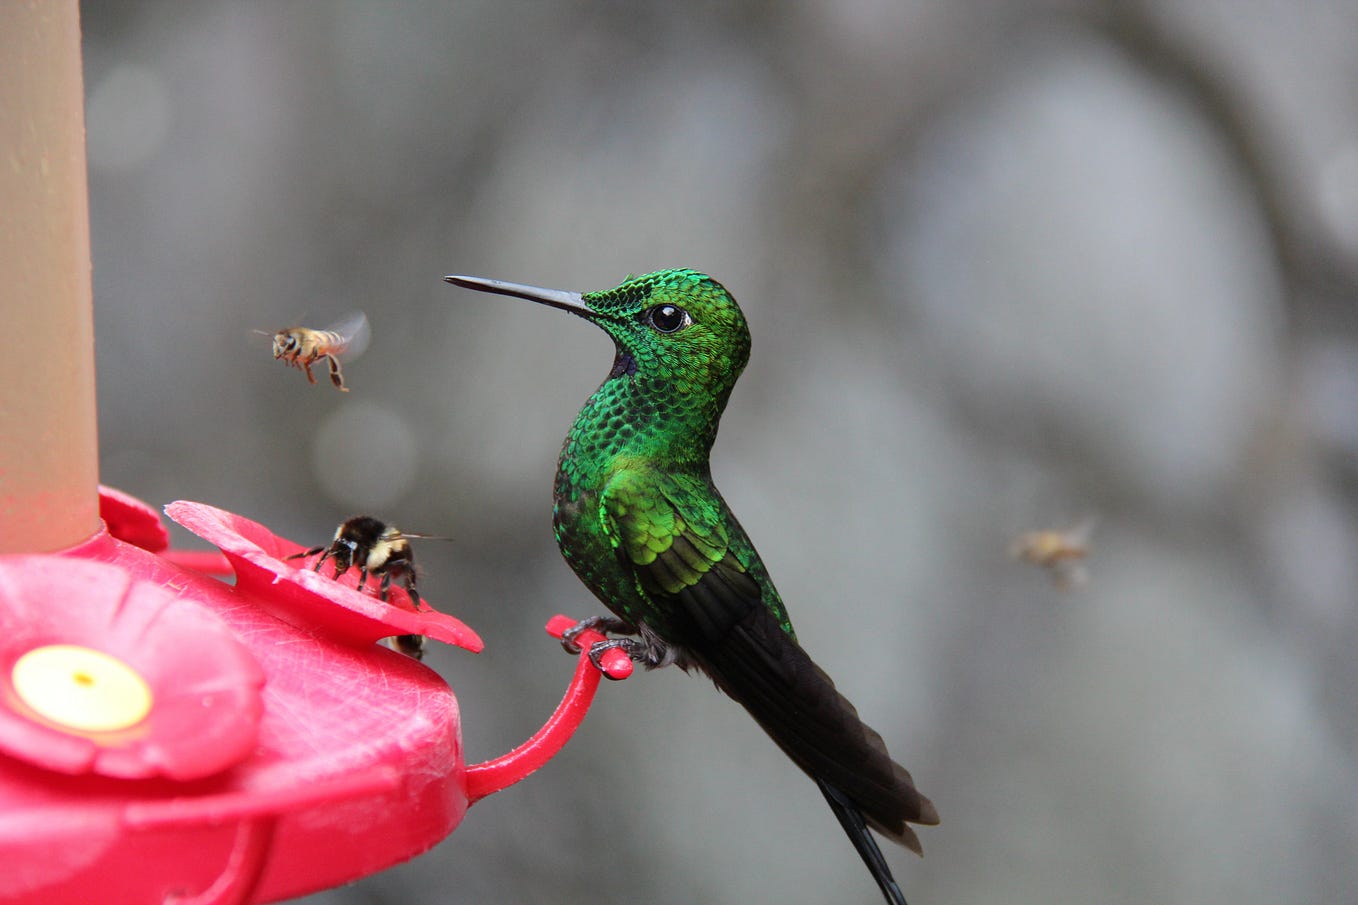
(680, 327)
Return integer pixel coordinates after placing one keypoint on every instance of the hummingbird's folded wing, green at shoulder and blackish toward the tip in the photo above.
(711, 597)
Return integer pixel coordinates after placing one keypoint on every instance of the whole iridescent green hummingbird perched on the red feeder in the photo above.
(642, 524)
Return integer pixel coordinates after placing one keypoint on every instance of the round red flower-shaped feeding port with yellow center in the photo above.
(119, 677)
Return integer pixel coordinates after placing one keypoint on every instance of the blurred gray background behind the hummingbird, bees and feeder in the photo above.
(1007, 266)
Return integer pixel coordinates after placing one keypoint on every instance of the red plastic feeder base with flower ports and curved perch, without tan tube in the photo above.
(168, 737)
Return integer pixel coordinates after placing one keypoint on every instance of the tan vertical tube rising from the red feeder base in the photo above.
(50, 465)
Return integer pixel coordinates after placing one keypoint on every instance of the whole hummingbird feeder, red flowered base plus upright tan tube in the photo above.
(166, 737)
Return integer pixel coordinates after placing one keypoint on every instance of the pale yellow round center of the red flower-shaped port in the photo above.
(81, 688)
